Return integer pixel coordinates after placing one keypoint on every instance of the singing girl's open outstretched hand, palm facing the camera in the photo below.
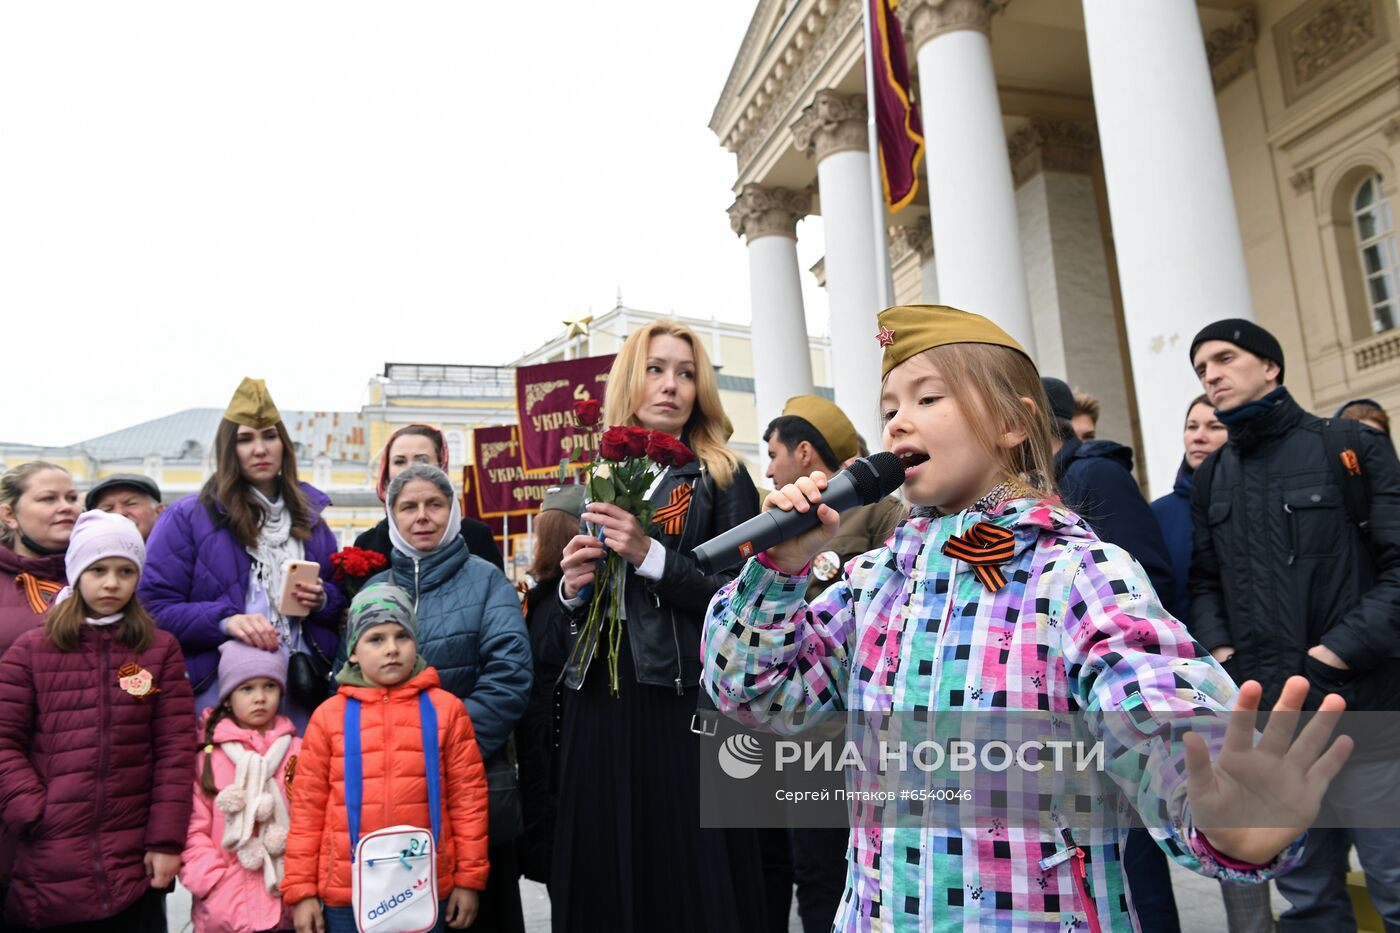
(1254, 801)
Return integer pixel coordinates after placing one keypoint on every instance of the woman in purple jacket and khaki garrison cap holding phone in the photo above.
(215, 567)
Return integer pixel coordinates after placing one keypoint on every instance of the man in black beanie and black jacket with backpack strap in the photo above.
(1286, 582)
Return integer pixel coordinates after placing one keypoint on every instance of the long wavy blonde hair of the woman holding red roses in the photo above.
(708, 432)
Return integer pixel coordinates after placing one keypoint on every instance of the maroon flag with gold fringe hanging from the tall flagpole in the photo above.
(897, 118)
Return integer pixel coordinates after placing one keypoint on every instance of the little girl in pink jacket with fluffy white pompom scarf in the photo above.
(239, 830)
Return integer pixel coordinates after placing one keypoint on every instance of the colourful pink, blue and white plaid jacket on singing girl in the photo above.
(1076, 631)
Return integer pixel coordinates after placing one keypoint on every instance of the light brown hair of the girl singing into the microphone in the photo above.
(990, 383)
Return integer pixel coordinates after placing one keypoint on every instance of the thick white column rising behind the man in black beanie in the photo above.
(1179, 251)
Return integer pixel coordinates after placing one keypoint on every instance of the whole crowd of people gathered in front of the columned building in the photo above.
(208, 691)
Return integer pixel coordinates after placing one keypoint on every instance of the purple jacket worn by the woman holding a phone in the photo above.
(197, 576)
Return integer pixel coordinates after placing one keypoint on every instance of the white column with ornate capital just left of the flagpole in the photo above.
(834, 130)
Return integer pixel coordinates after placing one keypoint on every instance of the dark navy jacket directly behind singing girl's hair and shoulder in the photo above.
(1095, 481)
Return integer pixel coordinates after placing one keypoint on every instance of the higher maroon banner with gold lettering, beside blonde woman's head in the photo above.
(545, 397)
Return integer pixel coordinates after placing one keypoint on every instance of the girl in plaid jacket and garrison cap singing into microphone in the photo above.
(995, 597)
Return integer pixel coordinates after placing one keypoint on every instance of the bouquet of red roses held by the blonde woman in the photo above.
(632, 457)
